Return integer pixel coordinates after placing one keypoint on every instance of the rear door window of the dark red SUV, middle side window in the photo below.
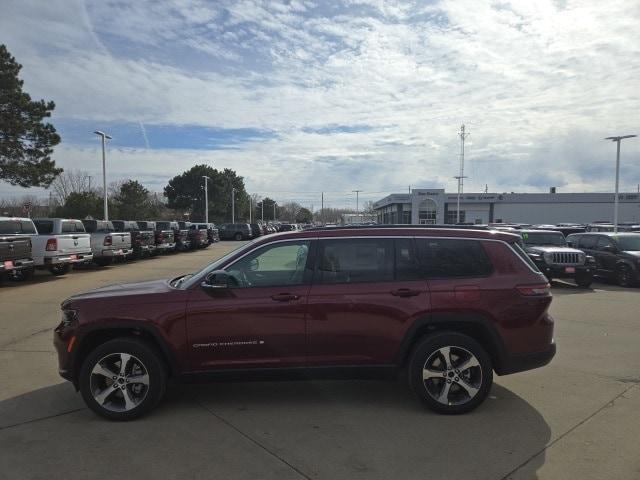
(355, 260)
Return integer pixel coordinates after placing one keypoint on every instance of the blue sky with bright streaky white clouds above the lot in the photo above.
(304, 96)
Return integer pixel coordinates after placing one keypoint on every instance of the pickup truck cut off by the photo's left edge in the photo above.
(15, 247)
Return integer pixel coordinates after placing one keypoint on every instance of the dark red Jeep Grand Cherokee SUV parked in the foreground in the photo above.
(446, 306)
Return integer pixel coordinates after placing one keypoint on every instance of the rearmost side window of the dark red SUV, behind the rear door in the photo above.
(451, 258)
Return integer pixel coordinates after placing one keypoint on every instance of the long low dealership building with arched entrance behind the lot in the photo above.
(435, 206)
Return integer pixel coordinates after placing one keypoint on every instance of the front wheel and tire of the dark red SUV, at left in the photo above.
(128, 400)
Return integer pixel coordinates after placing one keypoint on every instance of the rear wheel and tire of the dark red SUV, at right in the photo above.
(464, 390)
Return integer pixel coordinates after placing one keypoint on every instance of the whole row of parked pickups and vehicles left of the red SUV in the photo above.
(57, 244)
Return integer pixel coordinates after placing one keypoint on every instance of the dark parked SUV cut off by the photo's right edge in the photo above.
(617, 256)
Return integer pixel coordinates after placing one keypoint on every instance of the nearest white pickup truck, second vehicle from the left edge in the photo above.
(60, 243)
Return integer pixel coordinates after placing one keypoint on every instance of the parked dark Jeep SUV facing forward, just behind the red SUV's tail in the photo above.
(549, 251)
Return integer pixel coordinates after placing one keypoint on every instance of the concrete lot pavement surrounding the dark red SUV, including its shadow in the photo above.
(577, 418)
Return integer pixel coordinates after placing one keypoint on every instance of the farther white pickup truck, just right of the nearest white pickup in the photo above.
(107, 245)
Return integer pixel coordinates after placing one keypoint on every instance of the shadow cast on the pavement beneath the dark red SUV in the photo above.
(327, 429)
